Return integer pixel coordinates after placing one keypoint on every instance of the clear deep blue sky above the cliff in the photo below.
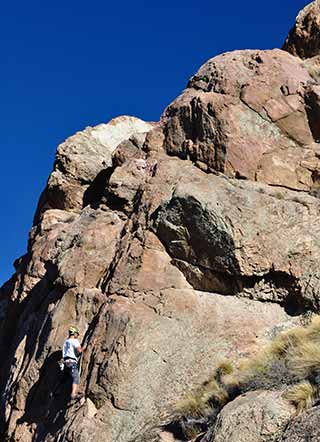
(70, 64)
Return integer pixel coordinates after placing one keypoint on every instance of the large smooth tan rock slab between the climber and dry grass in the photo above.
(151, 355)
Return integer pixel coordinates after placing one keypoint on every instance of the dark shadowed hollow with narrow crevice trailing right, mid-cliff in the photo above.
(201, 245)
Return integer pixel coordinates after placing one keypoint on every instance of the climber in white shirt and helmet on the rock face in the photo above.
(70, 353)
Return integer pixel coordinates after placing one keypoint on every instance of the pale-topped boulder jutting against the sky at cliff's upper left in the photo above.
(82, 157)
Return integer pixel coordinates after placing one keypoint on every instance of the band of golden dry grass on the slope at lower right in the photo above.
(292, 359)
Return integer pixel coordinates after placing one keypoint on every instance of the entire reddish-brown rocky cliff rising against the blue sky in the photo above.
(173, 246)
